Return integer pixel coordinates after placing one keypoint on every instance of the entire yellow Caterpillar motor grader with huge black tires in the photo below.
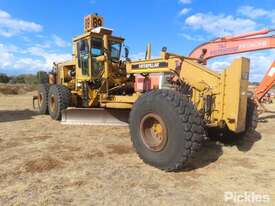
(168, 102)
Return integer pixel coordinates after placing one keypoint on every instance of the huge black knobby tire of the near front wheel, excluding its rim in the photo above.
(184, 125)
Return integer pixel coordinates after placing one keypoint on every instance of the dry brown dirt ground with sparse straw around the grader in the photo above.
(45, 163)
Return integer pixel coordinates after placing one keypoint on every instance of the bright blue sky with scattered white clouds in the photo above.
(34, 33)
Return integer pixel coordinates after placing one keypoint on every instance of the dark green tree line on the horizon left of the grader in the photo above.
(39, 78)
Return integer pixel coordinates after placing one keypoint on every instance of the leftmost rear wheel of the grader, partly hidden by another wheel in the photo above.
(43, 91)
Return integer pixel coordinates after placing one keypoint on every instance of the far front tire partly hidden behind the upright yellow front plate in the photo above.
(251, 116)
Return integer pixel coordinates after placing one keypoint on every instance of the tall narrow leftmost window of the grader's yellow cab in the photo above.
(83, 56)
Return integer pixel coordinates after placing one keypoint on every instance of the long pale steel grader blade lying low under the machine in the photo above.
(98, 116)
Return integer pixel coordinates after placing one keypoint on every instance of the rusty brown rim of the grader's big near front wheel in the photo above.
(153, 132)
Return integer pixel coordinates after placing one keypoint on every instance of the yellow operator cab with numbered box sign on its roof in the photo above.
(91, 49)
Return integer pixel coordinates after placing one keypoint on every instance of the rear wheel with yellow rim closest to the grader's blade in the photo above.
(58, 100)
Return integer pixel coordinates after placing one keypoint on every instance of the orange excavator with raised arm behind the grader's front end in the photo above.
(248, 42)
